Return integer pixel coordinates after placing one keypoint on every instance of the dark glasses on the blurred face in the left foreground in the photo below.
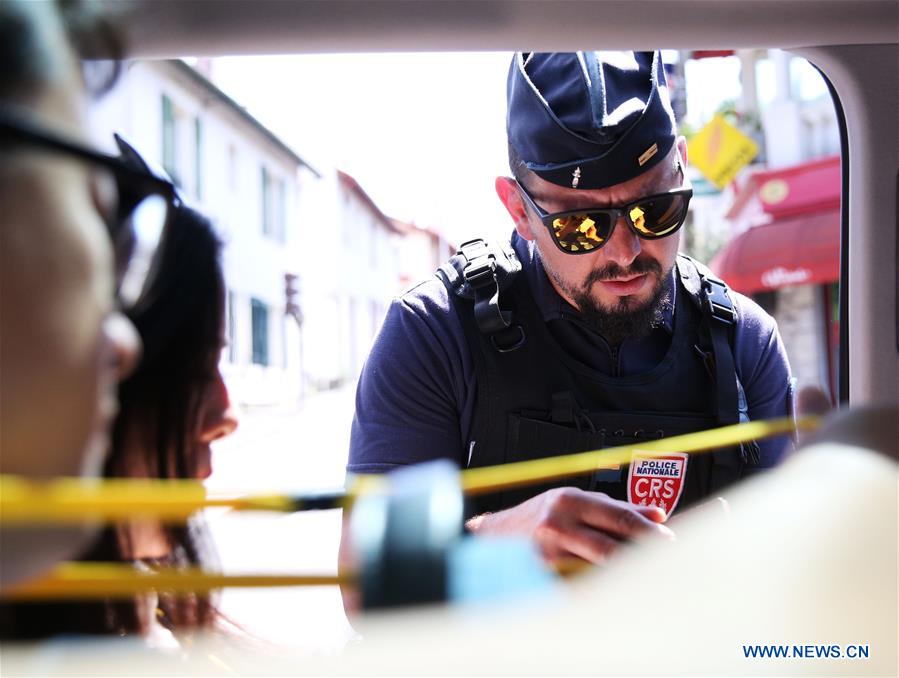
(144, 208)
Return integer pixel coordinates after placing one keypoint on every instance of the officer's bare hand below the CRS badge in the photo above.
(566, 522)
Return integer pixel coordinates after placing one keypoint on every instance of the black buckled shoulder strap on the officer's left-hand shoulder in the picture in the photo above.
(479, 271)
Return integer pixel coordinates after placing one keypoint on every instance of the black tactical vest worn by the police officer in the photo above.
(534, 400)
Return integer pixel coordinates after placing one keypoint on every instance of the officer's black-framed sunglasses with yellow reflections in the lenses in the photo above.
(587, 229)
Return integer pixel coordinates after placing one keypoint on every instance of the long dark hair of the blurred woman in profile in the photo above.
(181, 324)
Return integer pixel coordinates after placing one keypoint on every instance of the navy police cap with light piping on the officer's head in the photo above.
(589, 120)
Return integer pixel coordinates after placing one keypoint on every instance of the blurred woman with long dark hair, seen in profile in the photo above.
(172, 409)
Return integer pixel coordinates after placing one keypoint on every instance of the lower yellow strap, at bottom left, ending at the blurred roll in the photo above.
(80, 581)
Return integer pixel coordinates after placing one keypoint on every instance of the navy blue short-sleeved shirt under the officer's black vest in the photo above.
(416, 396)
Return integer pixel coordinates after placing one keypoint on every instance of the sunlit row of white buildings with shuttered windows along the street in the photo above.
(310, 262)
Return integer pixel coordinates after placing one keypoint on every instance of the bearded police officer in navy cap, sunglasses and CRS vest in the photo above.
(586, 330)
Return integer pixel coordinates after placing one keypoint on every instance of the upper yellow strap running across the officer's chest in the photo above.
(68, 500)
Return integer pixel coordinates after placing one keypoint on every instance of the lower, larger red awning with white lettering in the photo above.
(798, 251)
